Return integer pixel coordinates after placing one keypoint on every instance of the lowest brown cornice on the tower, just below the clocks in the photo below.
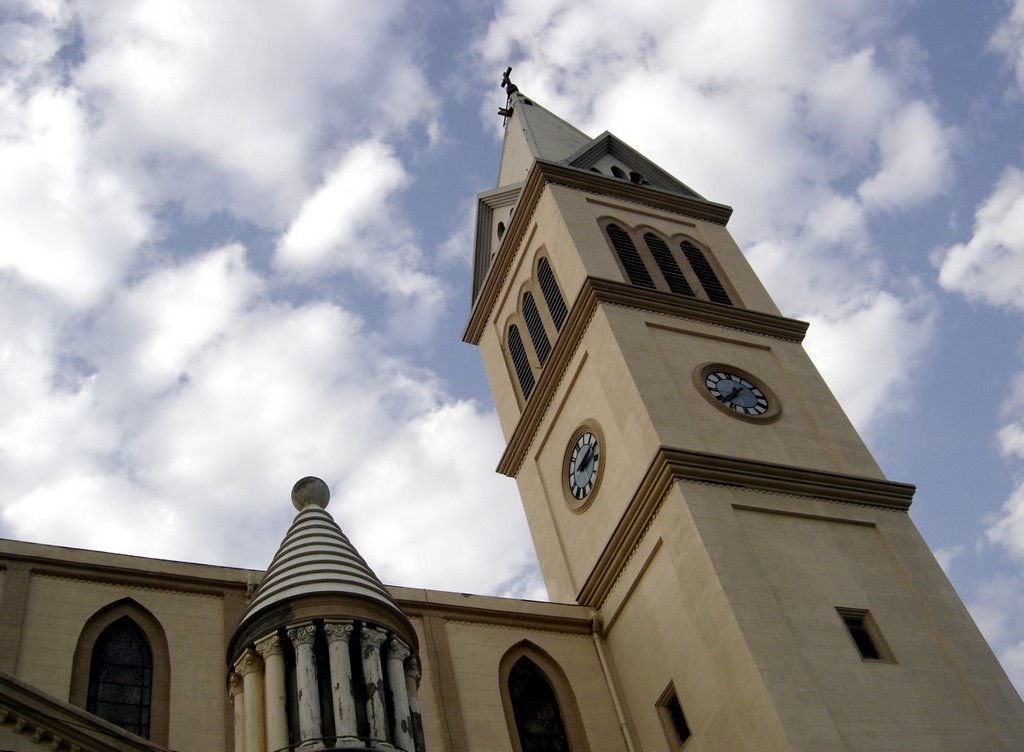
(677, 465)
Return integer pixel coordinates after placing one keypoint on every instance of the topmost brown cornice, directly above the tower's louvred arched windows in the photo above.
(540, 176)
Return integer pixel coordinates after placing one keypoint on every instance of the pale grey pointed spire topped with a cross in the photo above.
(533, 134)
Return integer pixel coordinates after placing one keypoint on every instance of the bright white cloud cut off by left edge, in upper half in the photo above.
(69, 224)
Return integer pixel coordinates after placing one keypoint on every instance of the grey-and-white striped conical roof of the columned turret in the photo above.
(315, 559)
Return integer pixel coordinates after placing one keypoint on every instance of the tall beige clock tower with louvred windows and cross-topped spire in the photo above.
(688, 474)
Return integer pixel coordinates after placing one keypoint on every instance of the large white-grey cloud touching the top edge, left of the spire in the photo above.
(230, 105)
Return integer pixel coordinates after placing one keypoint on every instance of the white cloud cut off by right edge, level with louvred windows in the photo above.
(990, 268)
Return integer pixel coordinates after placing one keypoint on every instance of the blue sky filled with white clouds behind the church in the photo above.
(235, 244)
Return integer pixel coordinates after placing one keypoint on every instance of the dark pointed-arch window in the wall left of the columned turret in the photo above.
(121, 678)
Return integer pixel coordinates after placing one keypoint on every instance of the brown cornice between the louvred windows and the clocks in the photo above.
(598, 291)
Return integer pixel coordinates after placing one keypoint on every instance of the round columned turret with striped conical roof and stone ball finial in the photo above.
(323, 658)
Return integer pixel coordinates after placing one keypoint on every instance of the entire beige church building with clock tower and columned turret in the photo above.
(730, 568)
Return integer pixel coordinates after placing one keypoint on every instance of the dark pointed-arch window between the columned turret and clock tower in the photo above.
(538, 719)
